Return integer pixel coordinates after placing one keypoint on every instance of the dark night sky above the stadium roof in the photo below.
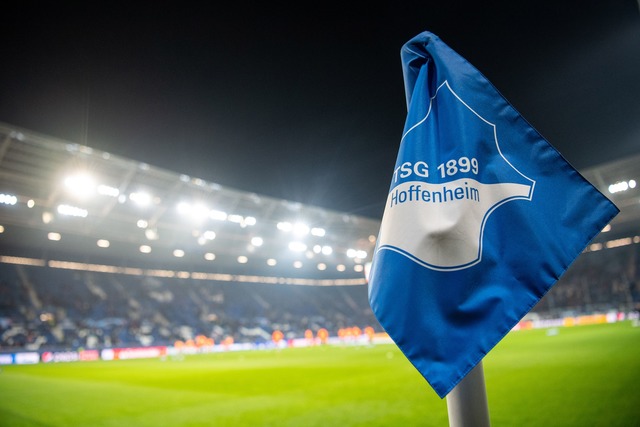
(307, 102)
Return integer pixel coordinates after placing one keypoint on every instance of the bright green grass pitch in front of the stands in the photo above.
(580, 376)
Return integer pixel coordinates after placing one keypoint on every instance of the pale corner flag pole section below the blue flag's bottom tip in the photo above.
(467, 402)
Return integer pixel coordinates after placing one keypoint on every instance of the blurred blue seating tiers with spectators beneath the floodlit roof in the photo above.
(46, 308)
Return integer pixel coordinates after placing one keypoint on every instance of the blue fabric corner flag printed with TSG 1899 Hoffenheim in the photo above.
(482, 218)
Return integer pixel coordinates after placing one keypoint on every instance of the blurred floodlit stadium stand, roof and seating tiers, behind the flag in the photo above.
(73, 272)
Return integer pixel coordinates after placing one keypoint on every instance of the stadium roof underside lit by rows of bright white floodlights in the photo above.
(70, 202)
